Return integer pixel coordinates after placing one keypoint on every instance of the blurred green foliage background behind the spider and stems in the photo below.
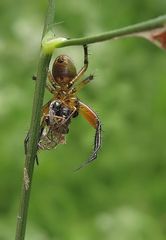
(122, 195)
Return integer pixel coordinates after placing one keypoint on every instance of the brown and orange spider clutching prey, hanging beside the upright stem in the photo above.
(64, 82)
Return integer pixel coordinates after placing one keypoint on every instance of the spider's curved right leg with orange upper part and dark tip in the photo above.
(94, 121)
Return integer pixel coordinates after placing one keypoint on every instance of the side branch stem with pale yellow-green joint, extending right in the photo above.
(50, 42)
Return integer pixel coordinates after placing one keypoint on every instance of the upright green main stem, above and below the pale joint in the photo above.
(34, 130)
